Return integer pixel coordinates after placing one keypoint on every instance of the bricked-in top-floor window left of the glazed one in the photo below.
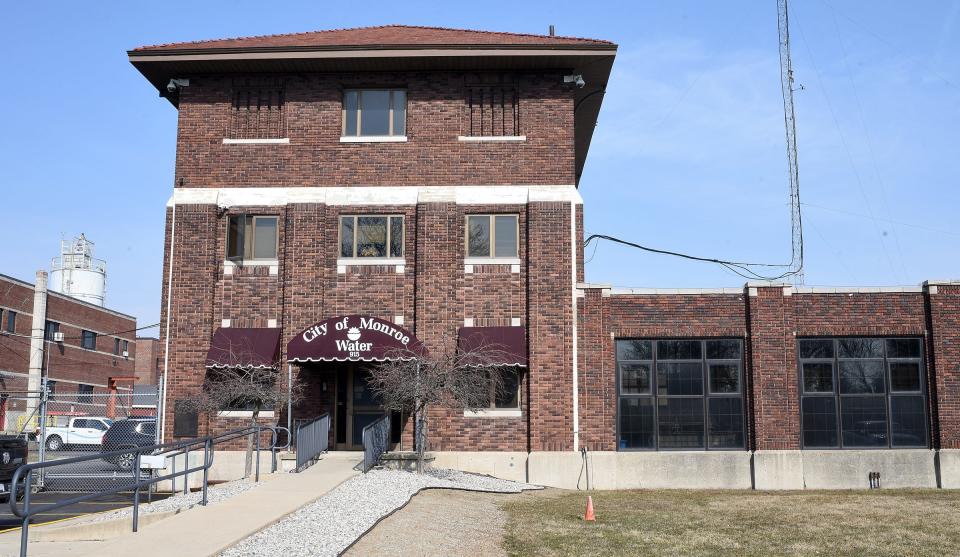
(257, 111)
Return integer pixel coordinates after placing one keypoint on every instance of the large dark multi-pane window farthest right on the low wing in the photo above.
(862, 392)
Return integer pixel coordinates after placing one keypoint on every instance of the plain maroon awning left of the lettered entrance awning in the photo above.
(244, 348)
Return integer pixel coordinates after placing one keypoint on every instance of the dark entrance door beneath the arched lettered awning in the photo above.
(356, 406)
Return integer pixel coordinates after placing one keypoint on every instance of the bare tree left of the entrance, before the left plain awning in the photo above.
(238, 385)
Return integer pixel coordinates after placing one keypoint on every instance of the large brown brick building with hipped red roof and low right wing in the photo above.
(337, 192)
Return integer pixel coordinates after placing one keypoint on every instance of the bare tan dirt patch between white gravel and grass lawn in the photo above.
(441, 522)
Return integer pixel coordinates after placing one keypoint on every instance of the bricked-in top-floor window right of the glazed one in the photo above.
(492, 107)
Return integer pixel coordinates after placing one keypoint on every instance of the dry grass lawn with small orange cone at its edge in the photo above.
(675, 522)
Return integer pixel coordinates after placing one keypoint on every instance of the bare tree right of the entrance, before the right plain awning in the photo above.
(451, 376)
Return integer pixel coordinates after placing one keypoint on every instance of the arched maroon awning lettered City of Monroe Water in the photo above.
(353, 338)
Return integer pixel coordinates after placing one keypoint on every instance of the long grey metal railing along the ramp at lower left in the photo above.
(24, 474)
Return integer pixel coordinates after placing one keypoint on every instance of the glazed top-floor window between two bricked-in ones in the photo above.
(374, 112)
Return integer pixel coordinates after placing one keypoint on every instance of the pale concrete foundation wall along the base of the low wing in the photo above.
(787, 469)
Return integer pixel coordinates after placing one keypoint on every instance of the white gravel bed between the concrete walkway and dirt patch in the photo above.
(330, 524)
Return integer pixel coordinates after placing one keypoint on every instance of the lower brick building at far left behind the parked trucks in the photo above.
(87, 354)
